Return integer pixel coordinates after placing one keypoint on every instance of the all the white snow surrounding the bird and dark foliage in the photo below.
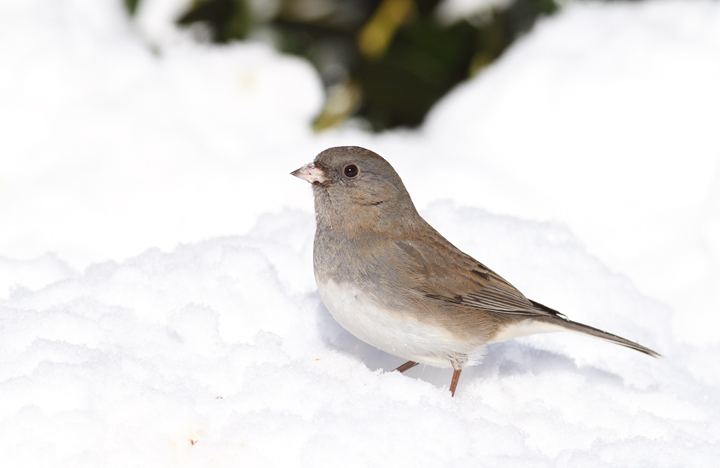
(157, 302)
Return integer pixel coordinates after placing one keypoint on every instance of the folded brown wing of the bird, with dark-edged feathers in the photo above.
(467, 282)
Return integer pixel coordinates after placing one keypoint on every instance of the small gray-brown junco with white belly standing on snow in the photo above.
(393, 281)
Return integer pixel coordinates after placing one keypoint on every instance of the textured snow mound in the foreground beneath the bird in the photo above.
(221, 352)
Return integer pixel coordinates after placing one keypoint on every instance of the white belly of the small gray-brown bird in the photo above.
(395, 332)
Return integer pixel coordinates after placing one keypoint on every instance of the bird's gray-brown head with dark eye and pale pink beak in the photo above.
(358, 190)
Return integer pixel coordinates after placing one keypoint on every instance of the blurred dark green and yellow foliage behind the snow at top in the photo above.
(384, 62)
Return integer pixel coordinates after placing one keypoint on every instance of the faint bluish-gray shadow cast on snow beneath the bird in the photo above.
(502, 360)
